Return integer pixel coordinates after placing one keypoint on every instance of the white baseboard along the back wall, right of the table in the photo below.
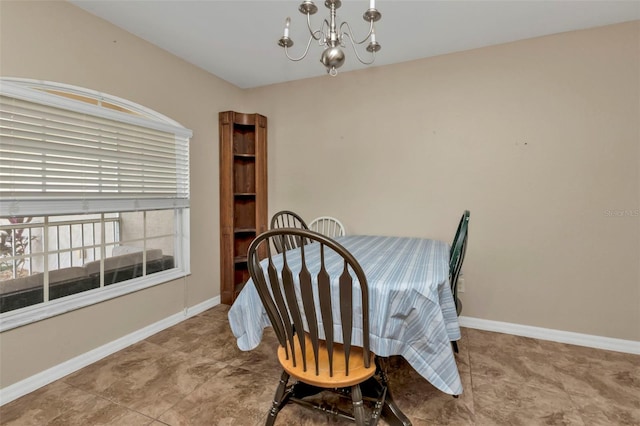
(598, 342)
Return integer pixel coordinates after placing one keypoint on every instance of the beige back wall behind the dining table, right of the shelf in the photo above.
(538, 139)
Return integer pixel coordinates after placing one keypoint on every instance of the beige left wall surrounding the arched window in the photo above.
(57, 41)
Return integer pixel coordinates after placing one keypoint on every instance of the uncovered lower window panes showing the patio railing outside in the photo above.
(51, 257)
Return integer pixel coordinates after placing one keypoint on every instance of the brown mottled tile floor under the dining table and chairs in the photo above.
(194, 374)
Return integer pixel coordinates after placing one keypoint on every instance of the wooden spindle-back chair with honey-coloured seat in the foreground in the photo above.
(309, 352)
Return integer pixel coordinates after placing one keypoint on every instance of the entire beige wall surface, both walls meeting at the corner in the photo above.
(537, 138)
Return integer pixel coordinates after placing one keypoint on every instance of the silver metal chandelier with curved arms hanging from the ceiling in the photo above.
(332, 36)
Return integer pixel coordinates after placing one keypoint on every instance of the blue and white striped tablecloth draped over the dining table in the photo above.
(411, 309)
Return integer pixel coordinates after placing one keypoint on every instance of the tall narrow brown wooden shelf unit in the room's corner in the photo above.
(243, 195)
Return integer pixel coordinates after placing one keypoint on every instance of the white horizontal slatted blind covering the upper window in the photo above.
(62, 160)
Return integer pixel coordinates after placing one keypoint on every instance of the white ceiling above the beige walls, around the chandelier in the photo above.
(237, 40)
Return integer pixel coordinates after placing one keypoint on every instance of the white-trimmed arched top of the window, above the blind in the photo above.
(89, 101)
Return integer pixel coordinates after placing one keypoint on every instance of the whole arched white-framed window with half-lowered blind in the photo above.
(94, 199)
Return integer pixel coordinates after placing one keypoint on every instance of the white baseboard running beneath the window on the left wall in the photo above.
(52, 374)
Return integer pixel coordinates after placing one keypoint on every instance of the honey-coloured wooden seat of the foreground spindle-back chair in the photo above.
(357, 372)
